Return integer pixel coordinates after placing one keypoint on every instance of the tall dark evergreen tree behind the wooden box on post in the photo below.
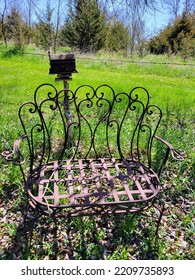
(85, 26)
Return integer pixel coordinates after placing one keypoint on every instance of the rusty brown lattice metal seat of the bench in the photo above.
(93, 182)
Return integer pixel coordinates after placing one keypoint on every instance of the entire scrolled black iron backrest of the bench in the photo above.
(94, 113)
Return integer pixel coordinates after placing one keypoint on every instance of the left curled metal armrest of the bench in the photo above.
(15, 155)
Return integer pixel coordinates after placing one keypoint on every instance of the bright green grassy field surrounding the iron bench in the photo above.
(172, 87)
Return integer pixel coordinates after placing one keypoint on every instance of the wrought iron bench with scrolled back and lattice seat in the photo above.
(104, 158)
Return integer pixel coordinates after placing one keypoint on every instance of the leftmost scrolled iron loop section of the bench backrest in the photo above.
(35, 125)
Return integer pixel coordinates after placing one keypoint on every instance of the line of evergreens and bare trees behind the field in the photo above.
(91, 25)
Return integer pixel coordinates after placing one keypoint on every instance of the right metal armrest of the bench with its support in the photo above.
(178, 155)
